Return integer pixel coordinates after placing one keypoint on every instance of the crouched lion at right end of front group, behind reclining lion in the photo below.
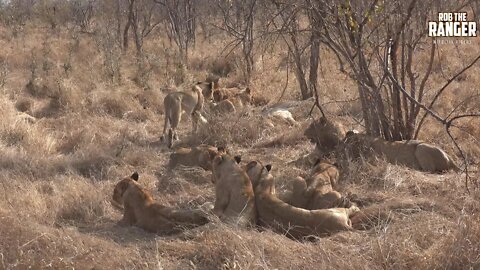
(317, 190)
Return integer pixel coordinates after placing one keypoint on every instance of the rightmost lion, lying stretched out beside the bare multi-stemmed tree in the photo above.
(414, 154)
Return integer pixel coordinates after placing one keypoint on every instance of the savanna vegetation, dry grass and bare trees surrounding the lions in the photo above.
(82, 84)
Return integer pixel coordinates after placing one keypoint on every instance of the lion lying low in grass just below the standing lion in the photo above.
(198, 156)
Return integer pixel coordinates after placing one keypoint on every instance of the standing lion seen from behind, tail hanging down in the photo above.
(189, 102)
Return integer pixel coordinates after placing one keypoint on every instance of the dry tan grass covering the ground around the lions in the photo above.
(58, 171)
